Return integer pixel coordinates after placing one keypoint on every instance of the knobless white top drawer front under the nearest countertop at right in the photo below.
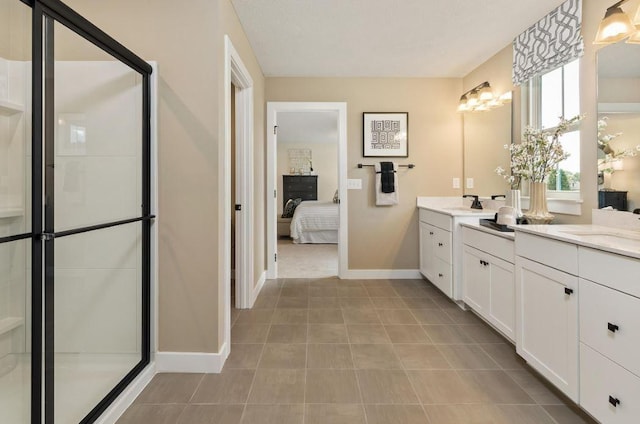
(615, 271)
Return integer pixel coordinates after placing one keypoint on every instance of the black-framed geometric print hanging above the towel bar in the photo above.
(385, 134)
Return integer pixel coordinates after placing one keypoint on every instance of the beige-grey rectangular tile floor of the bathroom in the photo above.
(357, 352)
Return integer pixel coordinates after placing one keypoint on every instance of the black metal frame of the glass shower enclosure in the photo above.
(43, 235)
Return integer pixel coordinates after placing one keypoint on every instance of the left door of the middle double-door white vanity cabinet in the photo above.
(475, 277)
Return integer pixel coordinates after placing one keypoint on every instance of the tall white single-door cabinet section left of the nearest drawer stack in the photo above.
(547, 309)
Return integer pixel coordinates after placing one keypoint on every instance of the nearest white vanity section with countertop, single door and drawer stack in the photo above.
(578, 313)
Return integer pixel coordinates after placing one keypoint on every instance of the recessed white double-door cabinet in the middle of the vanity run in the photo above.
(488, 277)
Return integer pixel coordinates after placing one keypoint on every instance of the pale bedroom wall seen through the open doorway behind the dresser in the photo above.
(325, 165)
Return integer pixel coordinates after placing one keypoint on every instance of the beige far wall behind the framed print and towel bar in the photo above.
(387, 237)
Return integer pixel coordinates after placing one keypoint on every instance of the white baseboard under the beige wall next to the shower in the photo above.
(192, 362)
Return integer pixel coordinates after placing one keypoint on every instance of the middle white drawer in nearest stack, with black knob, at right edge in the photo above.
(610, 323)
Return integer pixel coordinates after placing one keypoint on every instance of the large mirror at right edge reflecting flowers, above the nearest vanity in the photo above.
(619, 126)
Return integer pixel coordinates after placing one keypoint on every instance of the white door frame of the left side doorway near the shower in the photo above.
(236, 74)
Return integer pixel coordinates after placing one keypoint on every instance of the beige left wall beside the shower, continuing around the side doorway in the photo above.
(187, 43)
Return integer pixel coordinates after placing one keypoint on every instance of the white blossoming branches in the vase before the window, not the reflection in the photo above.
(537, 155)
